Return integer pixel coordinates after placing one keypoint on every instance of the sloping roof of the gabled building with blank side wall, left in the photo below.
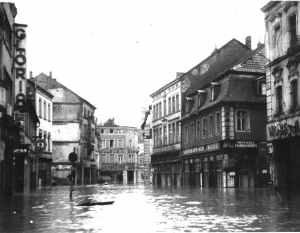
(48, 83)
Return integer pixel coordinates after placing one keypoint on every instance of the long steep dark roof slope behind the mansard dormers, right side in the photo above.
(217, 63)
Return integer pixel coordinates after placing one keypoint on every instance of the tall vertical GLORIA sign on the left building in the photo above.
(20, 66)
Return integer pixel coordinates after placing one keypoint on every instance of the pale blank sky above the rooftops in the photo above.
(115, 53)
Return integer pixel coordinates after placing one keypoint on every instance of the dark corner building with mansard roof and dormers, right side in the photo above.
(223, 118)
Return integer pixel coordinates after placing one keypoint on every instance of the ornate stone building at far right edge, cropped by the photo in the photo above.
(283, 99)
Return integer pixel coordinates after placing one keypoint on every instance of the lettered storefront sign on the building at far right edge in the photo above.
(283, 129)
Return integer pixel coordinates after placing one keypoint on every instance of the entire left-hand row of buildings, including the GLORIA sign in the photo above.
(41, 121)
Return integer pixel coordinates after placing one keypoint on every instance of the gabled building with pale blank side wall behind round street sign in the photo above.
(73, 131)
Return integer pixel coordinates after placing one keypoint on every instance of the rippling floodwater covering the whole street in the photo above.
(148, 209)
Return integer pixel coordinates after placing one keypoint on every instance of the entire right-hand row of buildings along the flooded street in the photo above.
(232, 120)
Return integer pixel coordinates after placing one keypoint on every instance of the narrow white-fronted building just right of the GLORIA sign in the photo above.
(43, 106)
